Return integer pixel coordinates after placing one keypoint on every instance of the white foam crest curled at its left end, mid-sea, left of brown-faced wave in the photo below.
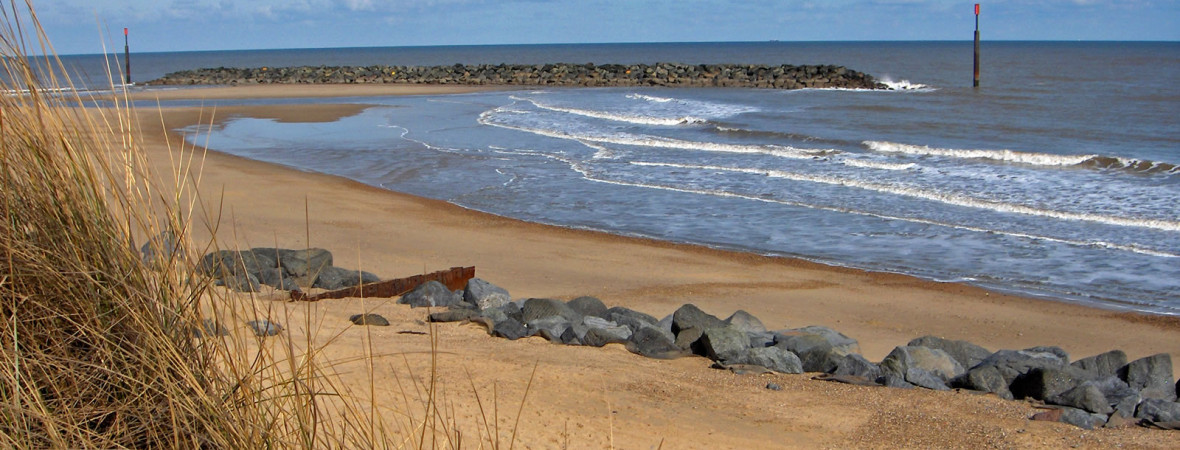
(783, 152)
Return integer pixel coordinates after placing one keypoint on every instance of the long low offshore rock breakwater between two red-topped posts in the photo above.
(543, 75)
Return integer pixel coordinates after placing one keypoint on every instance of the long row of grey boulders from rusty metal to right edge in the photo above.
(1104, 390)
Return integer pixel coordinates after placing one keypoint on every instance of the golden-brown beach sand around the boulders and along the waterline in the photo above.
(585, 397)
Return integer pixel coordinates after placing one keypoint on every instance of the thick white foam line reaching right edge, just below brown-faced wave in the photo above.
(942, 198)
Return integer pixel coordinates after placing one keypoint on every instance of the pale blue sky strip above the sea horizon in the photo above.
(82, 27)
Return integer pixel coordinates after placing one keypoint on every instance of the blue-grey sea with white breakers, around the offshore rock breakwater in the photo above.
(1058, 178)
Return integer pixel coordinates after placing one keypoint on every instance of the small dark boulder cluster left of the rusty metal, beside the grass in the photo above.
(287, 270)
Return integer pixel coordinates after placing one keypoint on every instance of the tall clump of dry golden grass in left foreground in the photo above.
(99, 344)
